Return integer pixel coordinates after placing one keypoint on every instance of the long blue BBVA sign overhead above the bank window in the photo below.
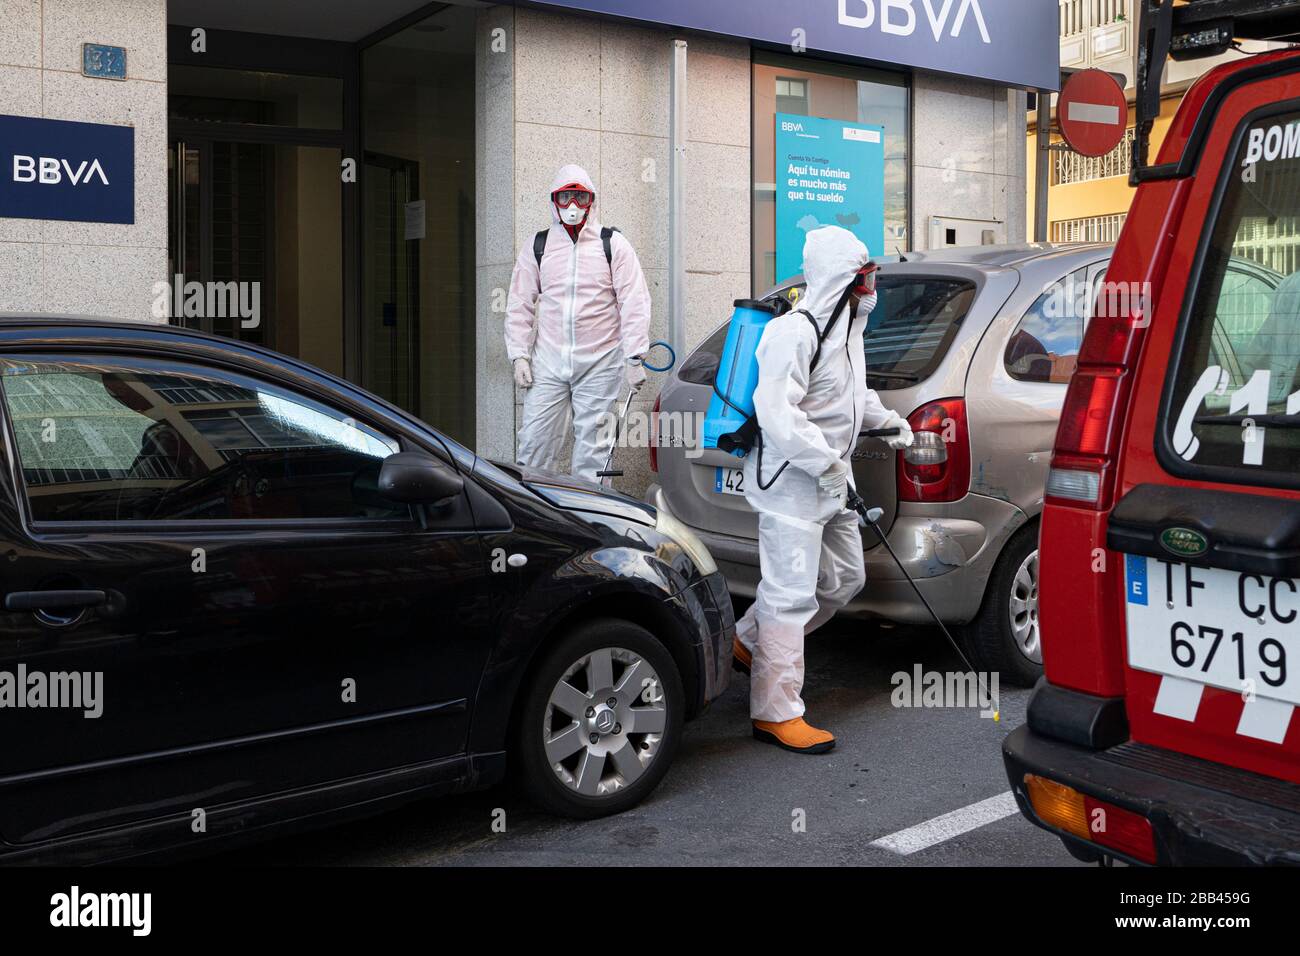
(1012, 42)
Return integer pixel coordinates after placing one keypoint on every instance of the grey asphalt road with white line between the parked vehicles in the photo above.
(730, 801)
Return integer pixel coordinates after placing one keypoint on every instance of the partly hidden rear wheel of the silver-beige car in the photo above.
(1007, 630)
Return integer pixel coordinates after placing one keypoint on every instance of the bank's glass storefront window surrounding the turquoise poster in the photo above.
(833, 92)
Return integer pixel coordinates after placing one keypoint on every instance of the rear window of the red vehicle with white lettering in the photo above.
(1233, 410)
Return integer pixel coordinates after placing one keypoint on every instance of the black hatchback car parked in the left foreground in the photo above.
(241, 595)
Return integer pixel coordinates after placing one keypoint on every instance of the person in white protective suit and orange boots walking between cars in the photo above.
(812, 403)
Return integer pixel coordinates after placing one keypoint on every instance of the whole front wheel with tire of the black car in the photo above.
(587, 775)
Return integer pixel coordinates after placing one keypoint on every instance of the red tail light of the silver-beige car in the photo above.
(938, 468)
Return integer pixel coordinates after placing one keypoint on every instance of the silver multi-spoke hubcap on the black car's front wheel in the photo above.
(605, 723)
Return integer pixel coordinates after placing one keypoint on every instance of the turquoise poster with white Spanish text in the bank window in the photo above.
(829, 174)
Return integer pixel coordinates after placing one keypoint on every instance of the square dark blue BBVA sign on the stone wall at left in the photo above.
(77, 172)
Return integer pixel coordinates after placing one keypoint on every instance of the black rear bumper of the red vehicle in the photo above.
(1202, 814)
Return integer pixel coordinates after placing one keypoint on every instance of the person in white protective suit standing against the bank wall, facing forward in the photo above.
(578, 328)
